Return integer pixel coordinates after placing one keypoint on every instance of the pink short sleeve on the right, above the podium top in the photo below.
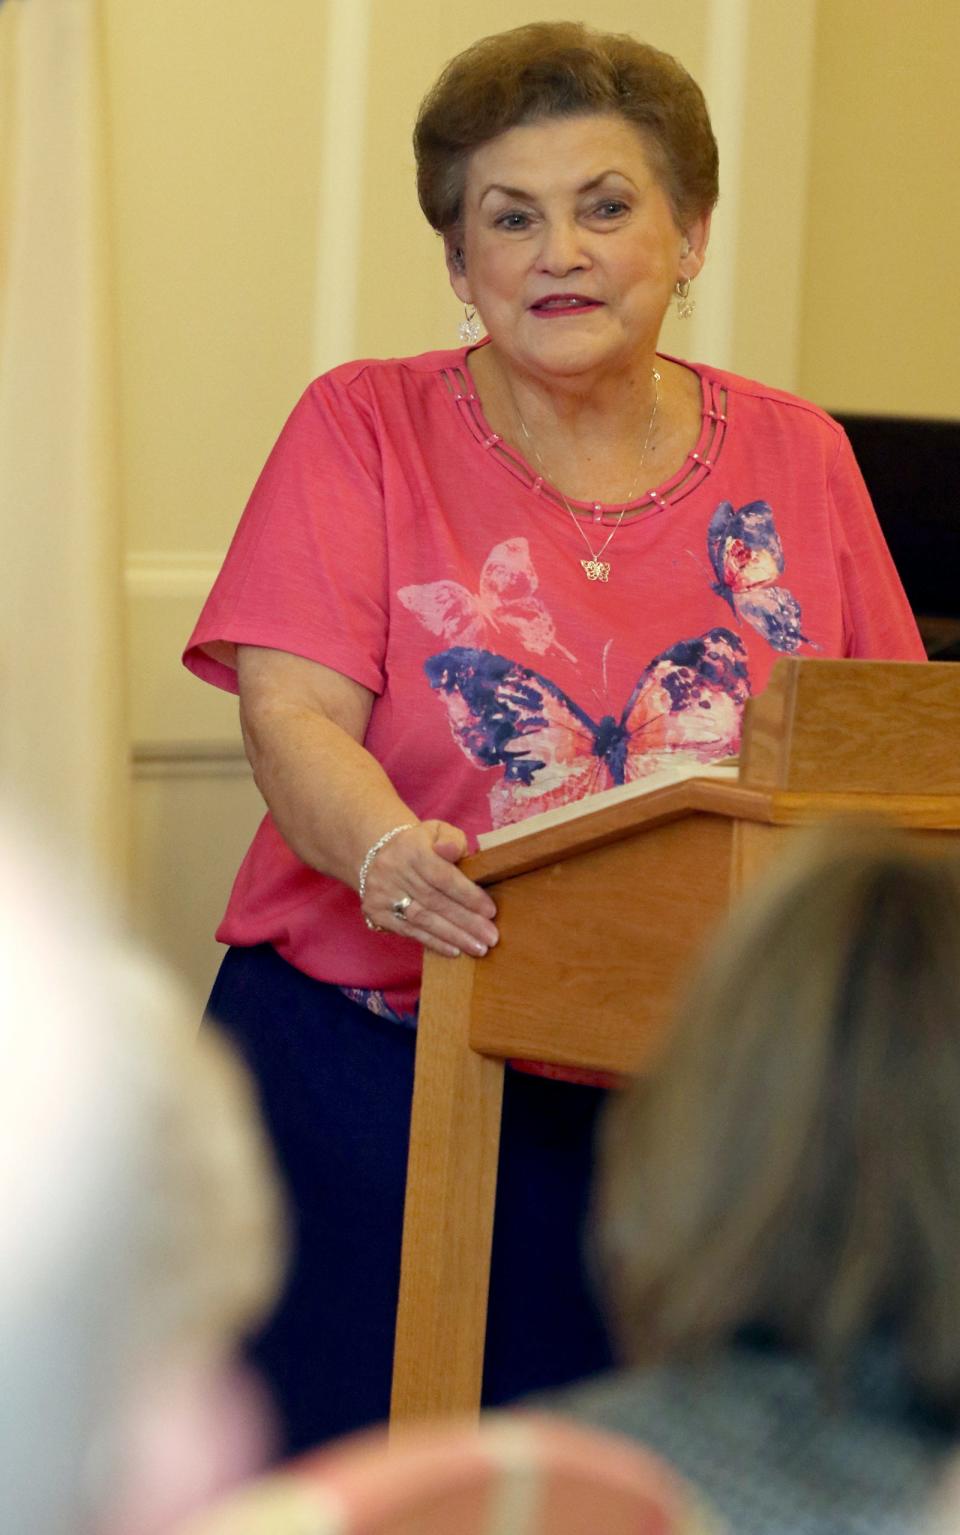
(878, 619)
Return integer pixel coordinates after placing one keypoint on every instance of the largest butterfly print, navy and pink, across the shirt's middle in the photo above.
(687, 704)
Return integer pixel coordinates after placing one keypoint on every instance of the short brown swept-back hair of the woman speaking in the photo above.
(563, 70)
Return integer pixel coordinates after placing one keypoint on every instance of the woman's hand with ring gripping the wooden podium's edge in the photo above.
(448, 913)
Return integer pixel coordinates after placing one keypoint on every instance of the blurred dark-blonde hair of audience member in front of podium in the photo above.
(795, 1164)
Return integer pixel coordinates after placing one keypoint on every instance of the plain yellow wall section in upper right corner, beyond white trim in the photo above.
(881, 317)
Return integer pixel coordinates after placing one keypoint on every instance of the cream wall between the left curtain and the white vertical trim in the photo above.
(216, 116)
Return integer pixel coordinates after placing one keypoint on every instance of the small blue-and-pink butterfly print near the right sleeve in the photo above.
(747, 558)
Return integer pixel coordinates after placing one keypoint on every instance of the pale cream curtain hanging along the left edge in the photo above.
(62, 725)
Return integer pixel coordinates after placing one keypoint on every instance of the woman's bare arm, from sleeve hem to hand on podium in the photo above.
(303, 725)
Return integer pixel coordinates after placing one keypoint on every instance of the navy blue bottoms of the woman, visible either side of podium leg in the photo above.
(336, 1086)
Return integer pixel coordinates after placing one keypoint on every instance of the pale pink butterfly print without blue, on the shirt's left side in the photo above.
(506, 602)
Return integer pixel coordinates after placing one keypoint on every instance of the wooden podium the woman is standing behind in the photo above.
(601, 919)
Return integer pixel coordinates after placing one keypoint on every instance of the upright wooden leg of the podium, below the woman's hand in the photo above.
(449, 1207)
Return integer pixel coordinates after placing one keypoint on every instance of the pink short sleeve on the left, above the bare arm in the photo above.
(306, 569)
